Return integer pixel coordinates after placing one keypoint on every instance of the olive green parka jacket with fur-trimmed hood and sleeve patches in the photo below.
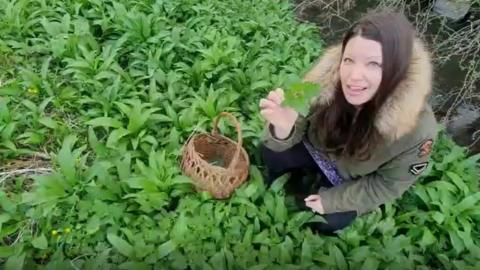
(405, 122)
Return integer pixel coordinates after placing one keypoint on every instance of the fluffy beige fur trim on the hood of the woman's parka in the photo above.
(399, 114)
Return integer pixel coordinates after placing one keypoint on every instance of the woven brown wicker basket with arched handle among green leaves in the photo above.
(201, 152)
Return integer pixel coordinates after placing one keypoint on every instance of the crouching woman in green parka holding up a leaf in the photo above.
(369, 132)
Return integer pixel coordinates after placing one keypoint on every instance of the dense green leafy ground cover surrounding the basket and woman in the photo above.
(108, 91)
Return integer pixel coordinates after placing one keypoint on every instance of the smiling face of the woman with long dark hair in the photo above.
(361, 70)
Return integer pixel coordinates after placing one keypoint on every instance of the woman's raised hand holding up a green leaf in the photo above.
(282, 118)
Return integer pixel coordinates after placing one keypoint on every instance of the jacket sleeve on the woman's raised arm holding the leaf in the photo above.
(270, 141)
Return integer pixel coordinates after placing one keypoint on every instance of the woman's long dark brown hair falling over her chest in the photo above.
(350, 131)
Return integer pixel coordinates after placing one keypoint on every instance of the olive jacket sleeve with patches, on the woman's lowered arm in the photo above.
(389, 182)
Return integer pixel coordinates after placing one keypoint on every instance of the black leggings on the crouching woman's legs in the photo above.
(298, 162)
